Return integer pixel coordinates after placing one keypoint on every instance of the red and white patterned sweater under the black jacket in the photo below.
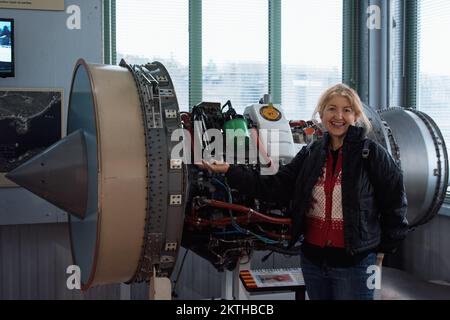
(324, 219)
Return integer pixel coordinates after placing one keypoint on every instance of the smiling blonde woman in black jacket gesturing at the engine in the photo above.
(348, 206)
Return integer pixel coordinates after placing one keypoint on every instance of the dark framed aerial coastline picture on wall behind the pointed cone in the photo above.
(30, 122)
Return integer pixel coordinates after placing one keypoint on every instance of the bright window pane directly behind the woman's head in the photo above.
(311, 53)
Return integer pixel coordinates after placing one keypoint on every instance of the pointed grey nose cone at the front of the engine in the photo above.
(58, 175)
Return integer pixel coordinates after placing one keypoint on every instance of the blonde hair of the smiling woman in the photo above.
(343, 90)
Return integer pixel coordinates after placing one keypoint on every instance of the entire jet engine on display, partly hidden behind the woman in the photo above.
(125, 173)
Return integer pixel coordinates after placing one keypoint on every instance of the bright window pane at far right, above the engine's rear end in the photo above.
(434, 66)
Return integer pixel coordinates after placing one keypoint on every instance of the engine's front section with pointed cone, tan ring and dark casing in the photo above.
(130, 211)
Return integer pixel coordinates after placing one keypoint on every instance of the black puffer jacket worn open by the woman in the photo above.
(373, 195)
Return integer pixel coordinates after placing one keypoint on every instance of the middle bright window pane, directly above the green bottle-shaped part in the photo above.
(235, 51)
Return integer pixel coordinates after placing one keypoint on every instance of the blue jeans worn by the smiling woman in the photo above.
(328, 283)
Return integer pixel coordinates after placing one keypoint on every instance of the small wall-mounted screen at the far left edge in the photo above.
(6, 48)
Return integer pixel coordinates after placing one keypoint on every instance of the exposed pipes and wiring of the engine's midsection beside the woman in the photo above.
(232, 223)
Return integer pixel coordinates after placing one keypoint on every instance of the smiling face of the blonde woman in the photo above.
(337, 116)
